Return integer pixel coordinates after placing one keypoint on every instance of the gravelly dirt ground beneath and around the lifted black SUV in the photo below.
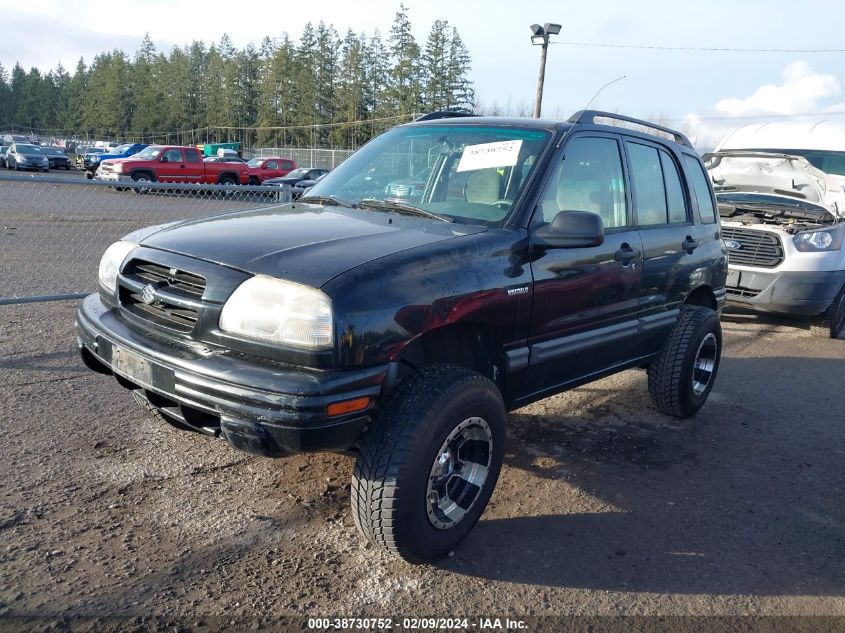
(112, 521)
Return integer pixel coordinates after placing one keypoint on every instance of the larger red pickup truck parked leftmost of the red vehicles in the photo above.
(164, 163)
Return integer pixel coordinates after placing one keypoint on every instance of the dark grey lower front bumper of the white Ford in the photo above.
(797, 293)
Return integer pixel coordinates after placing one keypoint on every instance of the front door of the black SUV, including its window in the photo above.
(585, 303)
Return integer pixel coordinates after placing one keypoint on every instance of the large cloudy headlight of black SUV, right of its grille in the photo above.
(280, 312)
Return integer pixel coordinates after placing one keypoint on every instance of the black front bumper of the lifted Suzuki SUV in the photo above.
(262, 408)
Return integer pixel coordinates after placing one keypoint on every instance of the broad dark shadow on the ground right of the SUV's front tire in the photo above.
(744, 498)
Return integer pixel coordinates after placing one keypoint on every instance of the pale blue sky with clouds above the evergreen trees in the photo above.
(705, 93)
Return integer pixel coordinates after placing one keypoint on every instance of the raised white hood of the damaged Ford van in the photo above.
(778, 176)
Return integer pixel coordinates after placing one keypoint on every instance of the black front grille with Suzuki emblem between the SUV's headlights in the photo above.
(179, 292)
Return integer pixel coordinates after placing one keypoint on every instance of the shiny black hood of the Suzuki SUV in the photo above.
(305, 243)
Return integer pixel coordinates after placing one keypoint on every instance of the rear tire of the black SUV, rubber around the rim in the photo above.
(671, 375)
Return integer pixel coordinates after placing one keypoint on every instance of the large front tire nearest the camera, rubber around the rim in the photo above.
(397, 453)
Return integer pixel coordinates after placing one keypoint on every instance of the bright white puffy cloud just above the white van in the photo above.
(803, 91)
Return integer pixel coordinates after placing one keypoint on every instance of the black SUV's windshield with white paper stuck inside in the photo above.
(465, 172)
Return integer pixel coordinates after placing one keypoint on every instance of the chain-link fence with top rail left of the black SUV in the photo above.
(54, 230)
